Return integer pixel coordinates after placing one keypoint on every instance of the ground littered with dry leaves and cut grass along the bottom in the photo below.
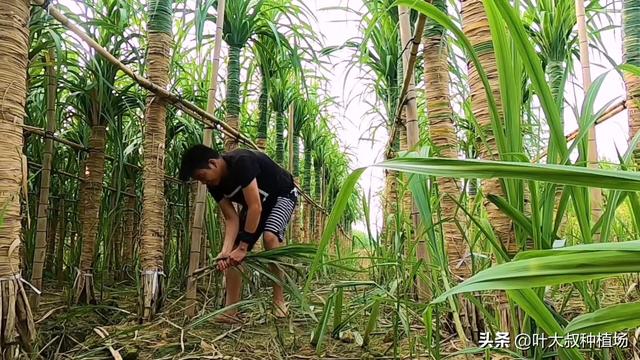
(110, 330)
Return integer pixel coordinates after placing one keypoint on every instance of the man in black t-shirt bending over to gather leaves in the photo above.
(267, 195)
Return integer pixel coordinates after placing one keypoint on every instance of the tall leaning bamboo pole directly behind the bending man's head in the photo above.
(198, 219)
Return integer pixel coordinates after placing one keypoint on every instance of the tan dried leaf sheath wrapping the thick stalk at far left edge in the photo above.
(16, 320)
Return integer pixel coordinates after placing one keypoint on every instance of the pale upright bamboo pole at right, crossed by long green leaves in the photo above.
(596, 194)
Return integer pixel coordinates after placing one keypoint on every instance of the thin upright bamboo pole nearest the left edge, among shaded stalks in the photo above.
(39, 254)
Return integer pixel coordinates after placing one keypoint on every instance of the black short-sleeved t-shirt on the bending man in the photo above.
(246, 165)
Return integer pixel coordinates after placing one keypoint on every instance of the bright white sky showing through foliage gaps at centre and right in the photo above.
(337, 26)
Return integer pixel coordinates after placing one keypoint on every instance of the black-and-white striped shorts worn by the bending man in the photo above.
(276, 217)
